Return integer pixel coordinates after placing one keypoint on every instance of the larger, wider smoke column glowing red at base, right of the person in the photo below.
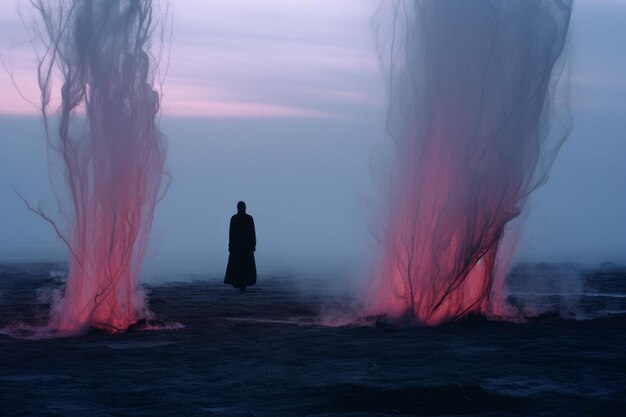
(470, 85)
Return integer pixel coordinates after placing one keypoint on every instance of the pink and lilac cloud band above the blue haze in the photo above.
(310, 58)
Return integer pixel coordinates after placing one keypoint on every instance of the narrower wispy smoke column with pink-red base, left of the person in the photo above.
(112, 151)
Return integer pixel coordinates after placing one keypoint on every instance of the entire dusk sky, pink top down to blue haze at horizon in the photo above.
(282, 104)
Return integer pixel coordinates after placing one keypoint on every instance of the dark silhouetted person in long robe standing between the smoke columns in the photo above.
(241, 269)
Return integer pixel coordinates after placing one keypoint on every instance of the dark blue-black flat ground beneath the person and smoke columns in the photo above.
(262, 354)
